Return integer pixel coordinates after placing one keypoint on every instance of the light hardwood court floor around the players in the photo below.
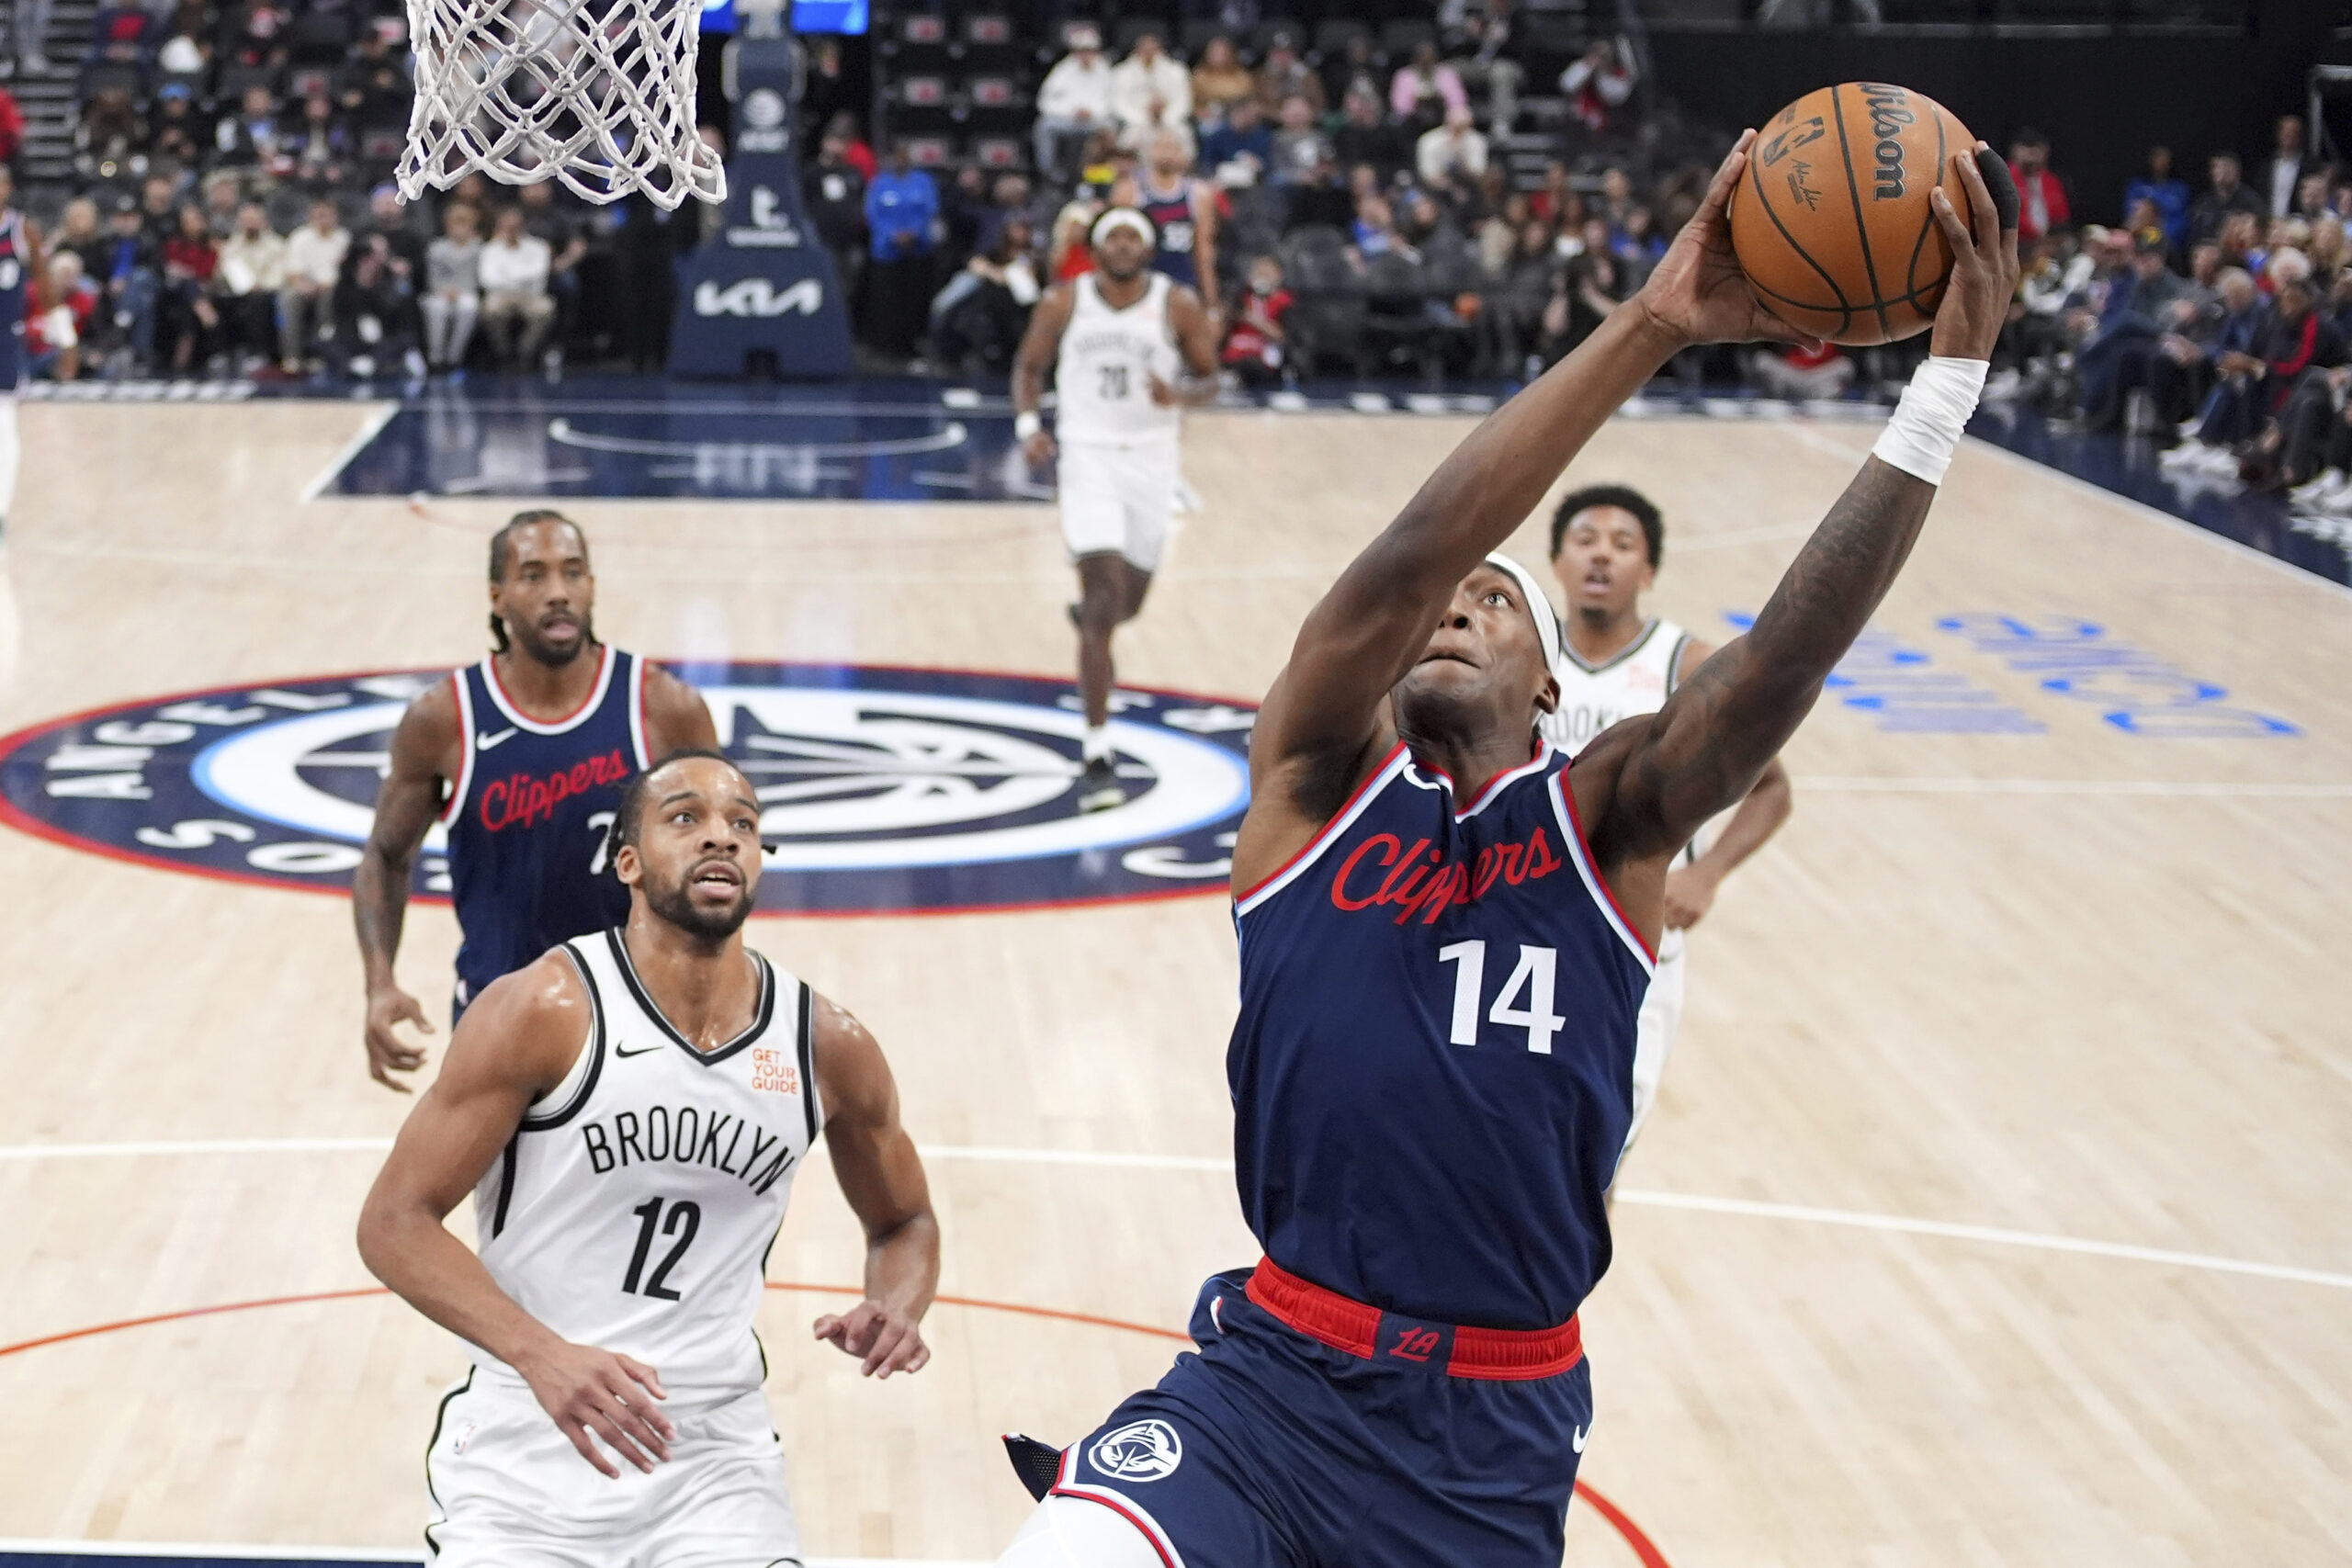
(2078, 984)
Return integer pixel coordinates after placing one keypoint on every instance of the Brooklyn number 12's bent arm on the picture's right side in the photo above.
(883, 1181)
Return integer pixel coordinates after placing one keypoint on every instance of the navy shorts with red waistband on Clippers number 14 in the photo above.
(1274, 1449)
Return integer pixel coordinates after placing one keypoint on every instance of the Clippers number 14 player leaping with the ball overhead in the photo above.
(1445, 939)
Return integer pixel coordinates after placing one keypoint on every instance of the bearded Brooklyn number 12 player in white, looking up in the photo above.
(629, 1115)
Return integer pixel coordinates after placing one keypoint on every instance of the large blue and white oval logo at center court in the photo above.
(881, 789)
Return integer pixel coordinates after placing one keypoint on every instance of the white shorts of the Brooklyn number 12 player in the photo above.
(512, 1492)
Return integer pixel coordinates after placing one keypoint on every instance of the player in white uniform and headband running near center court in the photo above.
(1130, 351)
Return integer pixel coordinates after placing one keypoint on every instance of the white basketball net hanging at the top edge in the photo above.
(592, 93)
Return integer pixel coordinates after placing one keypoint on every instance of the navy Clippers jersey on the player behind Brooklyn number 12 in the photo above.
(530, 815)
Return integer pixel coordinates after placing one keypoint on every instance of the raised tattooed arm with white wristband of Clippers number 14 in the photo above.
(1650, 784)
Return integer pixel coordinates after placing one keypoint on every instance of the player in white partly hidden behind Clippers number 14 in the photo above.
(1615, 664)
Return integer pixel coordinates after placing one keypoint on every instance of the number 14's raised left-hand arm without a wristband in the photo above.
(1321, 728)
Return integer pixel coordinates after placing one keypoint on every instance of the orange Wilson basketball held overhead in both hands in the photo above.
(1831, 220)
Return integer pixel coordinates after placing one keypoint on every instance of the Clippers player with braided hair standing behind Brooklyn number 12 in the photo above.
(521, 758)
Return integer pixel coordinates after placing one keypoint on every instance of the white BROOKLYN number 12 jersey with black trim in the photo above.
(636, 1205)
